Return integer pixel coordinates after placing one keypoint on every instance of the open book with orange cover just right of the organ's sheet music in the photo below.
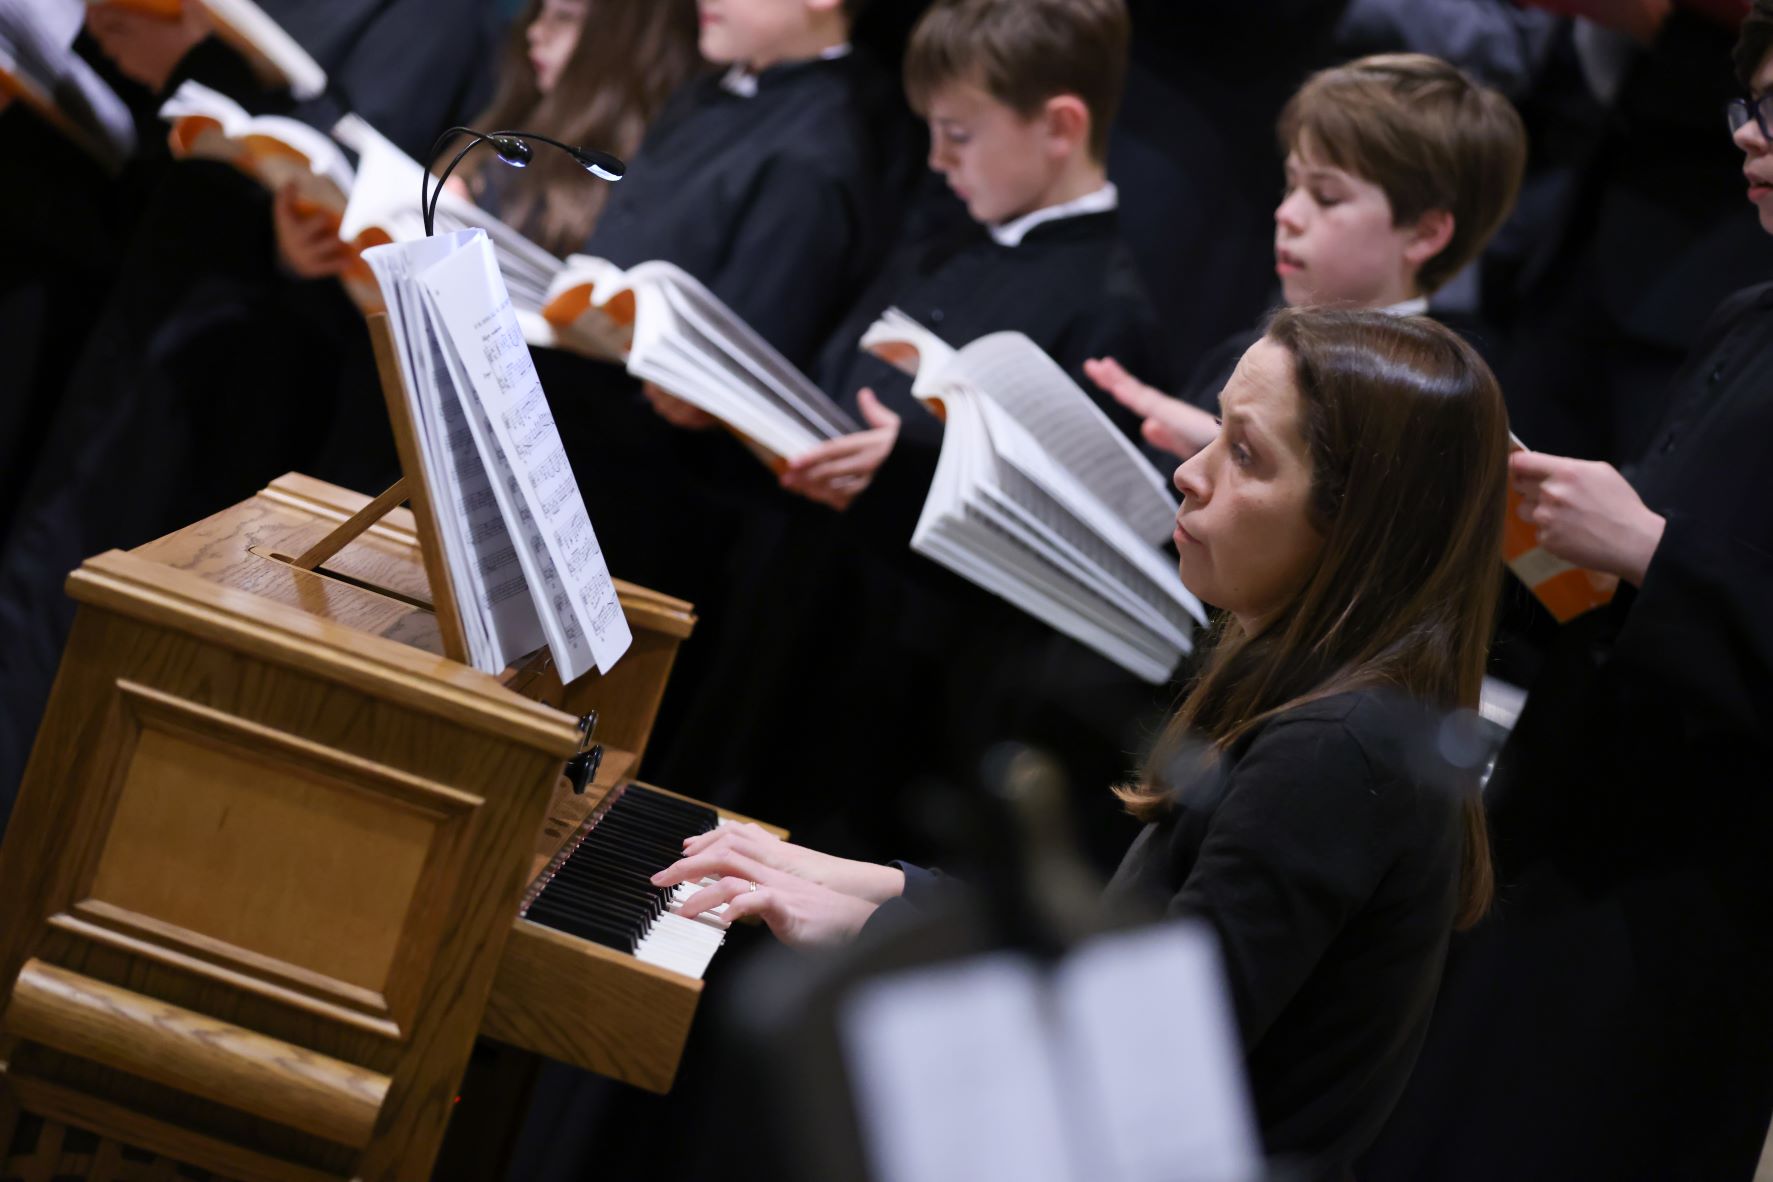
(676, 334)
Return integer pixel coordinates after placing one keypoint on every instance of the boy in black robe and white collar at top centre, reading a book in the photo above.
(866, 641)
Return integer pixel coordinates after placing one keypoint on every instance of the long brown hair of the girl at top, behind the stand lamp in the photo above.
(630, 58)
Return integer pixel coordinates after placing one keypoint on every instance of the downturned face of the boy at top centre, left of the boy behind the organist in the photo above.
(994, 159)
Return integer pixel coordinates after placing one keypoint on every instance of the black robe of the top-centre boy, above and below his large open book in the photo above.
(868, 667)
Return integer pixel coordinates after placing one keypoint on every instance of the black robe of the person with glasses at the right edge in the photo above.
(1611, 1020)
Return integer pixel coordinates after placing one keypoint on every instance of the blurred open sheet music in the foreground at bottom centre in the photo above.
(997, 1069)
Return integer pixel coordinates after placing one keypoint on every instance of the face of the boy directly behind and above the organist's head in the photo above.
(1336, 242)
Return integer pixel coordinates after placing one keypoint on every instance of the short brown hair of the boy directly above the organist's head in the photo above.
(1426, 134)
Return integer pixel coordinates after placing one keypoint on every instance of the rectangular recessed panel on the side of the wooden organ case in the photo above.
(295, 860)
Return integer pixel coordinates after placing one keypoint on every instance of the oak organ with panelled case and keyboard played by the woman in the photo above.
(277, 862)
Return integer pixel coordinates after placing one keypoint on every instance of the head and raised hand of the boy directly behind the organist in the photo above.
(1400, 171)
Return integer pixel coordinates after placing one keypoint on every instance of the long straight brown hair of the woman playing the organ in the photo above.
(1409, 442)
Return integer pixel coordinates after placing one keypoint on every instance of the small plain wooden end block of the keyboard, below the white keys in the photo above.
(593, 1007)
